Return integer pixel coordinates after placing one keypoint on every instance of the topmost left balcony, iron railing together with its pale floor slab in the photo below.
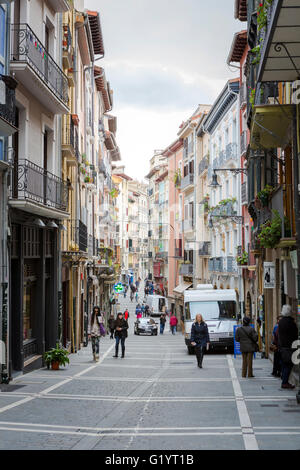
(29, 55)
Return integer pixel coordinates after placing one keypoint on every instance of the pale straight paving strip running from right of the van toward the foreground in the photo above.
(250, 441)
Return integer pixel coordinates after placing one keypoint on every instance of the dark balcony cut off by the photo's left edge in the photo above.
(7, 105)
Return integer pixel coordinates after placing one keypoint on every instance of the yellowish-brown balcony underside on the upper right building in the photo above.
(271, 126)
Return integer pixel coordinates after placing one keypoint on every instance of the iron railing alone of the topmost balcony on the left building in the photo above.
(28, 48)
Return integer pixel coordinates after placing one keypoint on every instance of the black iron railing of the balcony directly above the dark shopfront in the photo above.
(33, 183)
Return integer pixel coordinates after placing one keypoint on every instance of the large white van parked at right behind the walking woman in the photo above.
(220, 310)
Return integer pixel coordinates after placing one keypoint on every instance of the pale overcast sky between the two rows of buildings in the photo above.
(162, 59)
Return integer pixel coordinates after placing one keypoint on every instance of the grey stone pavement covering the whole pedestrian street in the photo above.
(154, 398)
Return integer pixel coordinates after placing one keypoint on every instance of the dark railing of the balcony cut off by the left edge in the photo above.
(7, 100)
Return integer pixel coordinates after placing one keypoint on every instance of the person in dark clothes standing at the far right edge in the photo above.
(287, 334)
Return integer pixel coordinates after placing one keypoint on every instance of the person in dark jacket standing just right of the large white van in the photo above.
(247, 337)
